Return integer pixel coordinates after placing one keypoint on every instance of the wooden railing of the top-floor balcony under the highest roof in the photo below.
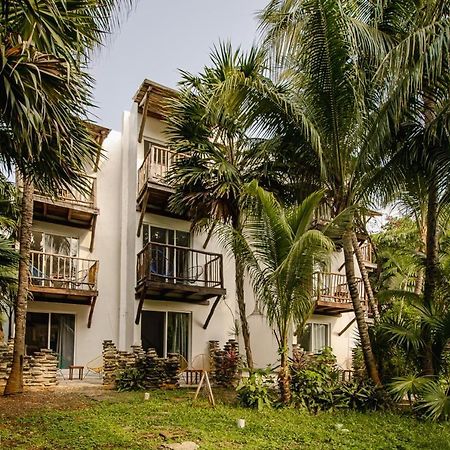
(156, 164)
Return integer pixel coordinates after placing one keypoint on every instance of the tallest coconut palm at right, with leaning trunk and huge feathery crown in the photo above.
(352, 67)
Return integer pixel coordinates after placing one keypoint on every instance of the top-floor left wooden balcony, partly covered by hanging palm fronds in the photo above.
(68, 207)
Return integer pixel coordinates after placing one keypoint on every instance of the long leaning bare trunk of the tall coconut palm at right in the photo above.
(369, 359)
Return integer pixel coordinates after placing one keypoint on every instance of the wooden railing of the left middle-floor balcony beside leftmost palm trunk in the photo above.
(63, 272)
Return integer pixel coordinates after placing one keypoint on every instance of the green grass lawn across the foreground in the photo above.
(126, 421)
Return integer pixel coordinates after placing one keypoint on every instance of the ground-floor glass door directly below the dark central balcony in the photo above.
(166, 332)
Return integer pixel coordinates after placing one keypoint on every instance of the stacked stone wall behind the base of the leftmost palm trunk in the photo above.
(39, 370)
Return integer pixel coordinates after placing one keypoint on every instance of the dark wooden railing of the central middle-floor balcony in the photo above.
(179, 265)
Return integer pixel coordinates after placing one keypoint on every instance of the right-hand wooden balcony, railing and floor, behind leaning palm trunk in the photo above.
(332, 294)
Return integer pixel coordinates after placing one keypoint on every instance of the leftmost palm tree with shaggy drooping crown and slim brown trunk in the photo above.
(44, 97)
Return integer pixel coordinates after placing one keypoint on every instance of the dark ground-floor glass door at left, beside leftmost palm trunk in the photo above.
(54, 331)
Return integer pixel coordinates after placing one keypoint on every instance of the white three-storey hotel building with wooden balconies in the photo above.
(118, 265)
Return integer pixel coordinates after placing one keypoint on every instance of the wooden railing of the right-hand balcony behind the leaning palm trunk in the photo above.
(333, 287)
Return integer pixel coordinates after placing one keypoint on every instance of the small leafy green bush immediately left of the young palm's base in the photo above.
(256, 391)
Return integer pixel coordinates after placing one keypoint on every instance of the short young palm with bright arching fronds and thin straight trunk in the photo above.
(281, 251)
